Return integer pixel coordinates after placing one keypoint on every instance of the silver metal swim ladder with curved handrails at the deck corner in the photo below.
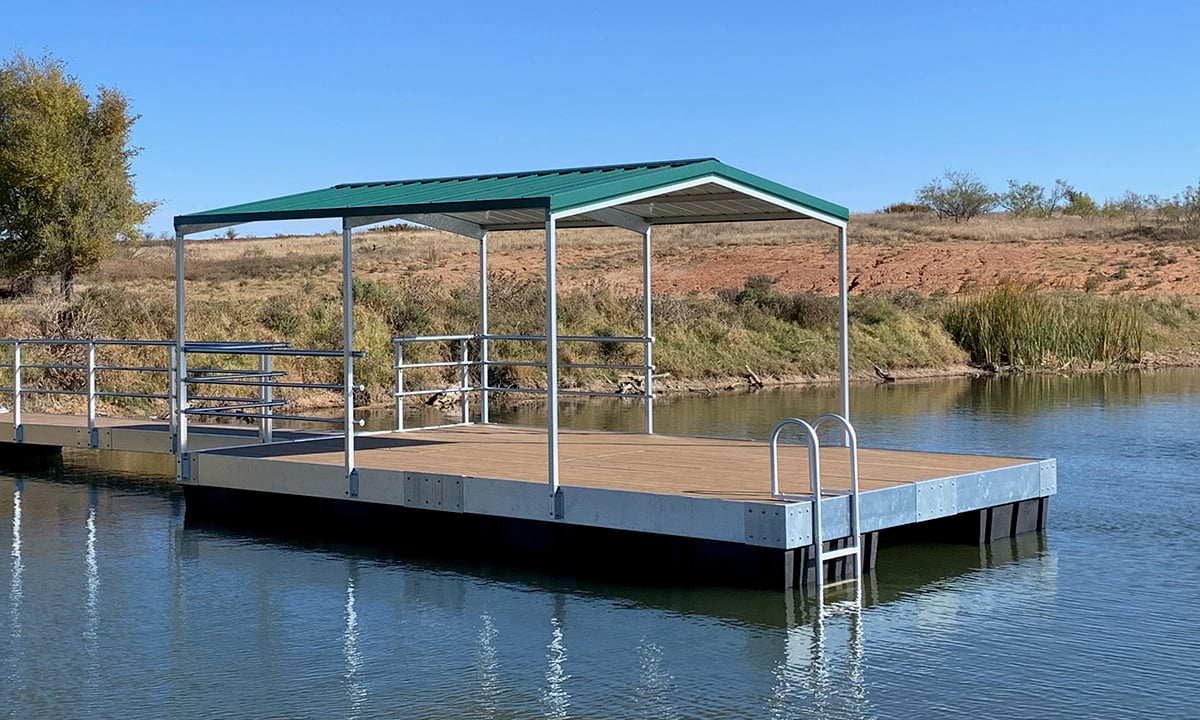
(854, 548)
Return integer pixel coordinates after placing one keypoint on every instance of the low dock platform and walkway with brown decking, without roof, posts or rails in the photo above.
(700, 508)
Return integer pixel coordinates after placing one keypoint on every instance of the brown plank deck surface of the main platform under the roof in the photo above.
(701, 467)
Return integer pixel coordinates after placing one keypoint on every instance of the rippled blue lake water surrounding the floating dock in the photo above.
(111, 607)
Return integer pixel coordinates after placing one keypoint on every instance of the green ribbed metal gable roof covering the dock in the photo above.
(657, 194)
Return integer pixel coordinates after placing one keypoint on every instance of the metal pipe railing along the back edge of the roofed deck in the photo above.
(472, 363)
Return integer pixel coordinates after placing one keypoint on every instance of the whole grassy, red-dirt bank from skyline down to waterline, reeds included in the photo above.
(1003, 293)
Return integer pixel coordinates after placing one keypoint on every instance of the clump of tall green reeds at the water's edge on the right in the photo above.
(1017, 325)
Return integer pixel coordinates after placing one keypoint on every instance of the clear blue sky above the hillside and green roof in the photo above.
(857, 103)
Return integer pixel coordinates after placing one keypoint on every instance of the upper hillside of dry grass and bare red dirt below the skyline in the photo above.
(886, 254)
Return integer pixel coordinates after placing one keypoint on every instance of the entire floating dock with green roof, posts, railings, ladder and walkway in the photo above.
(695, 508)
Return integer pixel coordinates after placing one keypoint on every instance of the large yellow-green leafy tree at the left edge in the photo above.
(67, 193)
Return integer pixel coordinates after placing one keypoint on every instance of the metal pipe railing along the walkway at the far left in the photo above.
(70, 368)
